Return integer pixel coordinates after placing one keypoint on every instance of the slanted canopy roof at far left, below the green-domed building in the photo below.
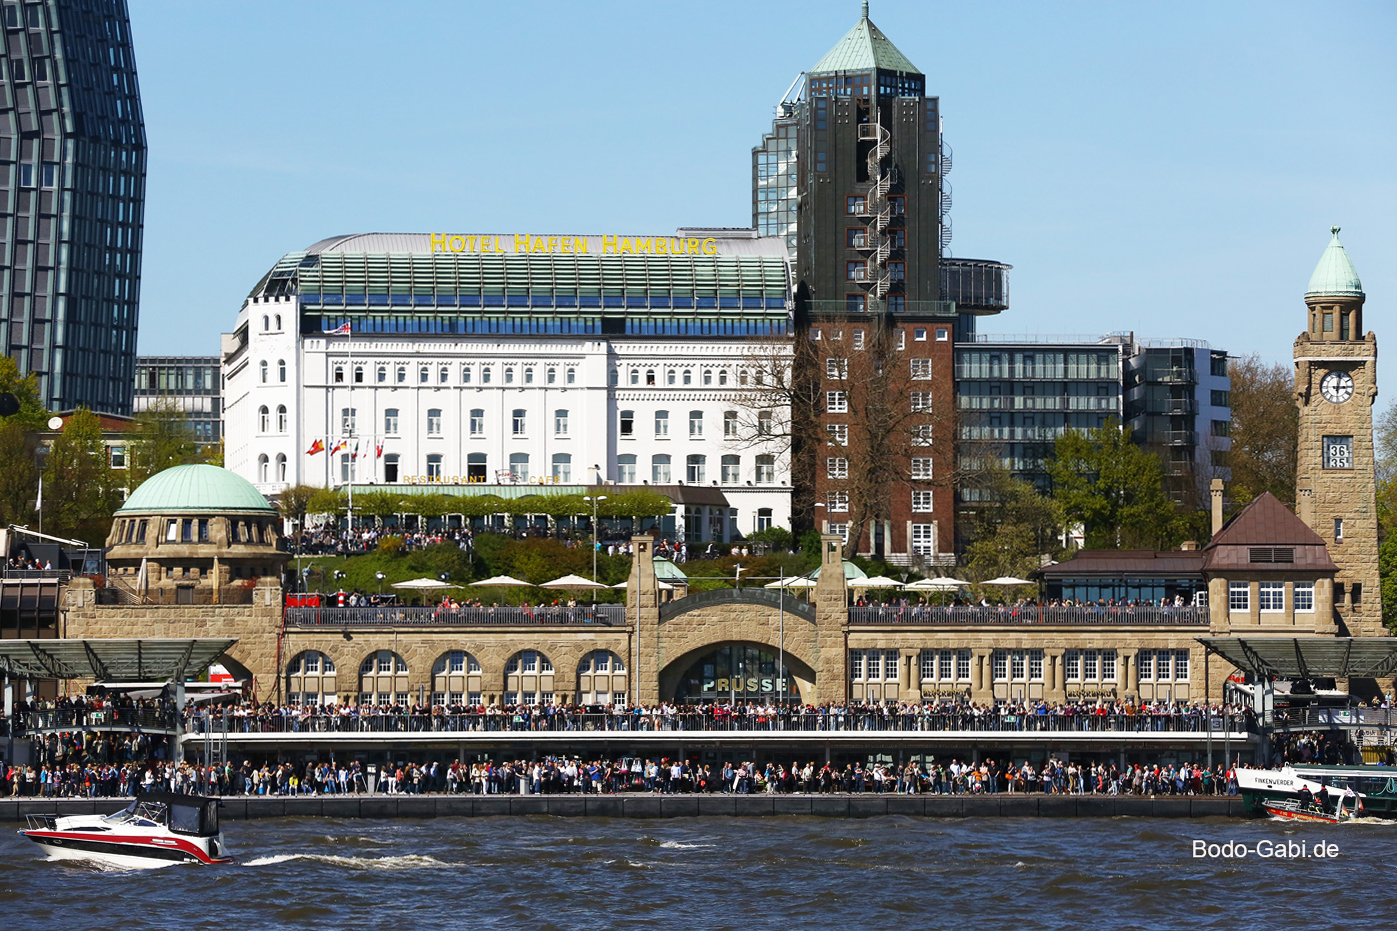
(110, 661)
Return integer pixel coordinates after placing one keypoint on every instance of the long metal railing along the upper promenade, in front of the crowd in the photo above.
(969, 721)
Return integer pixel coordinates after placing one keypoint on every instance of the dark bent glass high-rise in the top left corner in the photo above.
(72, 199)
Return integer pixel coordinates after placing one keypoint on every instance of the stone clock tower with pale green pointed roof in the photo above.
(1336, 384)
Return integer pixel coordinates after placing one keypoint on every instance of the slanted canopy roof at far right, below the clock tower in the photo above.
(1308, 658)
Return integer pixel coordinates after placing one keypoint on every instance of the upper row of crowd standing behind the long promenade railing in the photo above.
(942, 715)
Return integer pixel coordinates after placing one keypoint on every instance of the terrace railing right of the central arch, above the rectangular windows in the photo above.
(1107, 616)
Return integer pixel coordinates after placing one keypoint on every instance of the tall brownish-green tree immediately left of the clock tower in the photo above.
(1265, 430)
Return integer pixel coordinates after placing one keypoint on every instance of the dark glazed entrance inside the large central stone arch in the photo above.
(737, 672)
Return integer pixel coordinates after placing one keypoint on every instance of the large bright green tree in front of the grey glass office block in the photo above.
(1113, 487)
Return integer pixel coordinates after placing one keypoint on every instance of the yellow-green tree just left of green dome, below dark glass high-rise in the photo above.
(80, 491)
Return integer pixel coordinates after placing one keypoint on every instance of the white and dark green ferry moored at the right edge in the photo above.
(1371, 791)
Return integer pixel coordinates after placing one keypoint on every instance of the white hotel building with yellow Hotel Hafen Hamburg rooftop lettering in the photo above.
(505, 364)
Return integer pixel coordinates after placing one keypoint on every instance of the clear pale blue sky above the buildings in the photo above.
(1170, 170)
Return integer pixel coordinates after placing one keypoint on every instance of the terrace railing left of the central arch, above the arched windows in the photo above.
(504, 616)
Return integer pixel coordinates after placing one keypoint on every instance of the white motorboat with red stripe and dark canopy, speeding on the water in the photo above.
(157, 830)
